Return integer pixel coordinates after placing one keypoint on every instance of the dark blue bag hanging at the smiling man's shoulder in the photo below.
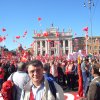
(52, 86)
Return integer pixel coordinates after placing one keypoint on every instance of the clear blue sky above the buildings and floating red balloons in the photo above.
(17, 16)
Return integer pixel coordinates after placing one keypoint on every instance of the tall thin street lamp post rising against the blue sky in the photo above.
(90, 4)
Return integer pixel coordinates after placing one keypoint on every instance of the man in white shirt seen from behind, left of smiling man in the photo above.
(19, 78)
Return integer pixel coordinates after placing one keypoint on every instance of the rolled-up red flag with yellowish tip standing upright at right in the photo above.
(80, 81)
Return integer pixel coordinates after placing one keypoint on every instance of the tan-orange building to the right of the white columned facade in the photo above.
(91, 44)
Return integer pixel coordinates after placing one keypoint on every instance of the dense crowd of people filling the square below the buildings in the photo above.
(37, 79)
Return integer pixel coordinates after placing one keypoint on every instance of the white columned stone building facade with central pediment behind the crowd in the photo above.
(52, 42)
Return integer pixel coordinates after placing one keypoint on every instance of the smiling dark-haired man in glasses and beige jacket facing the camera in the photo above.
(38, 88)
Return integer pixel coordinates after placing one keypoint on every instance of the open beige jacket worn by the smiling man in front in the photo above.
(47, 95)
